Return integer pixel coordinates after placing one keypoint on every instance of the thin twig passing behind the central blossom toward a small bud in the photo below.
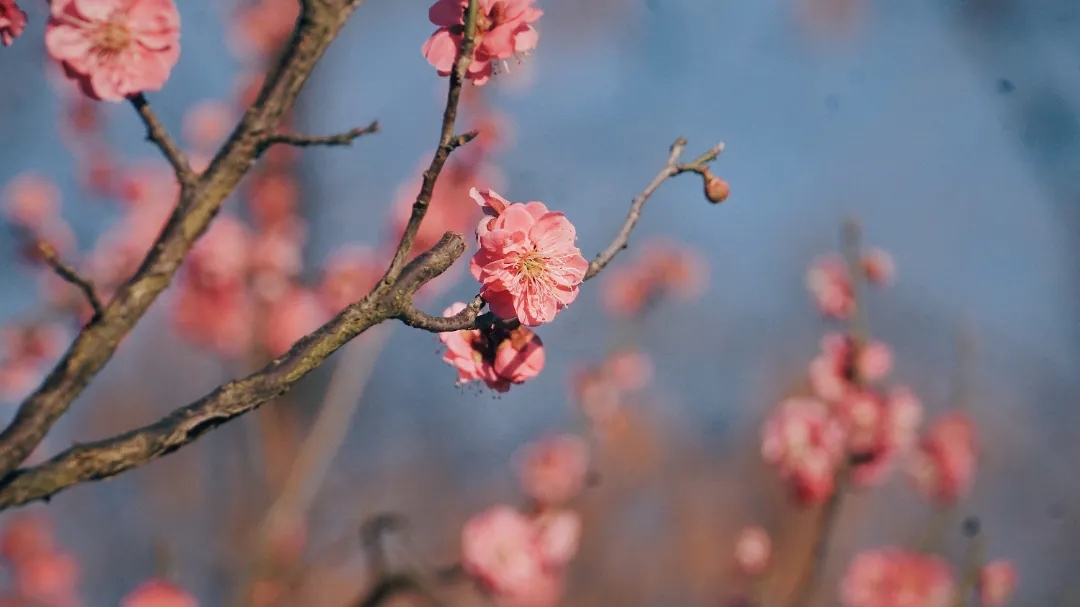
(470, 318)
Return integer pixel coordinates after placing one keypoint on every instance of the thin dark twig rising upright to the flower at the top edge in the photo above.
(448, 143)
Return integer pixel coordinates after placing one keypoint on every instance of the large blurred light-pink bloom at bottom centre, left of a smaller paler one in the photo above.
(501, 549)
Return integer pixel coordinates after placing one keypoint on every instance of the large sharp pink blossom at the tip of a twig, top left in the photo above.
(114, 49)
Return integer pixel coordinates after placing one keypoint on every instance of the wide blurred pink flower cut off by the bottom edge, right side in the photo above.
(893, 577)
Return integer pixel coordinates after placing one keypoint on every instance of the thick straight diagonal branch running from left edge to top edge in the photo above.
(199, 204)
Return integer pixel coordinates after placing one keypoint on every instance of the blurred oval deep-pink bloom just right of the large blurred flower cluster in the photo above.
(943, 467)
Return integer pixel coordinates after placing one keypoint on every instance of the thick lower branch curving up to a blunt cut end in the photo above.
(102, 460)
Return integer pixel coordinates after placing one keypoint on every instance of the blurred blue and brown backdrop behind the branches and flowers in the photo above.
(949, 128)
